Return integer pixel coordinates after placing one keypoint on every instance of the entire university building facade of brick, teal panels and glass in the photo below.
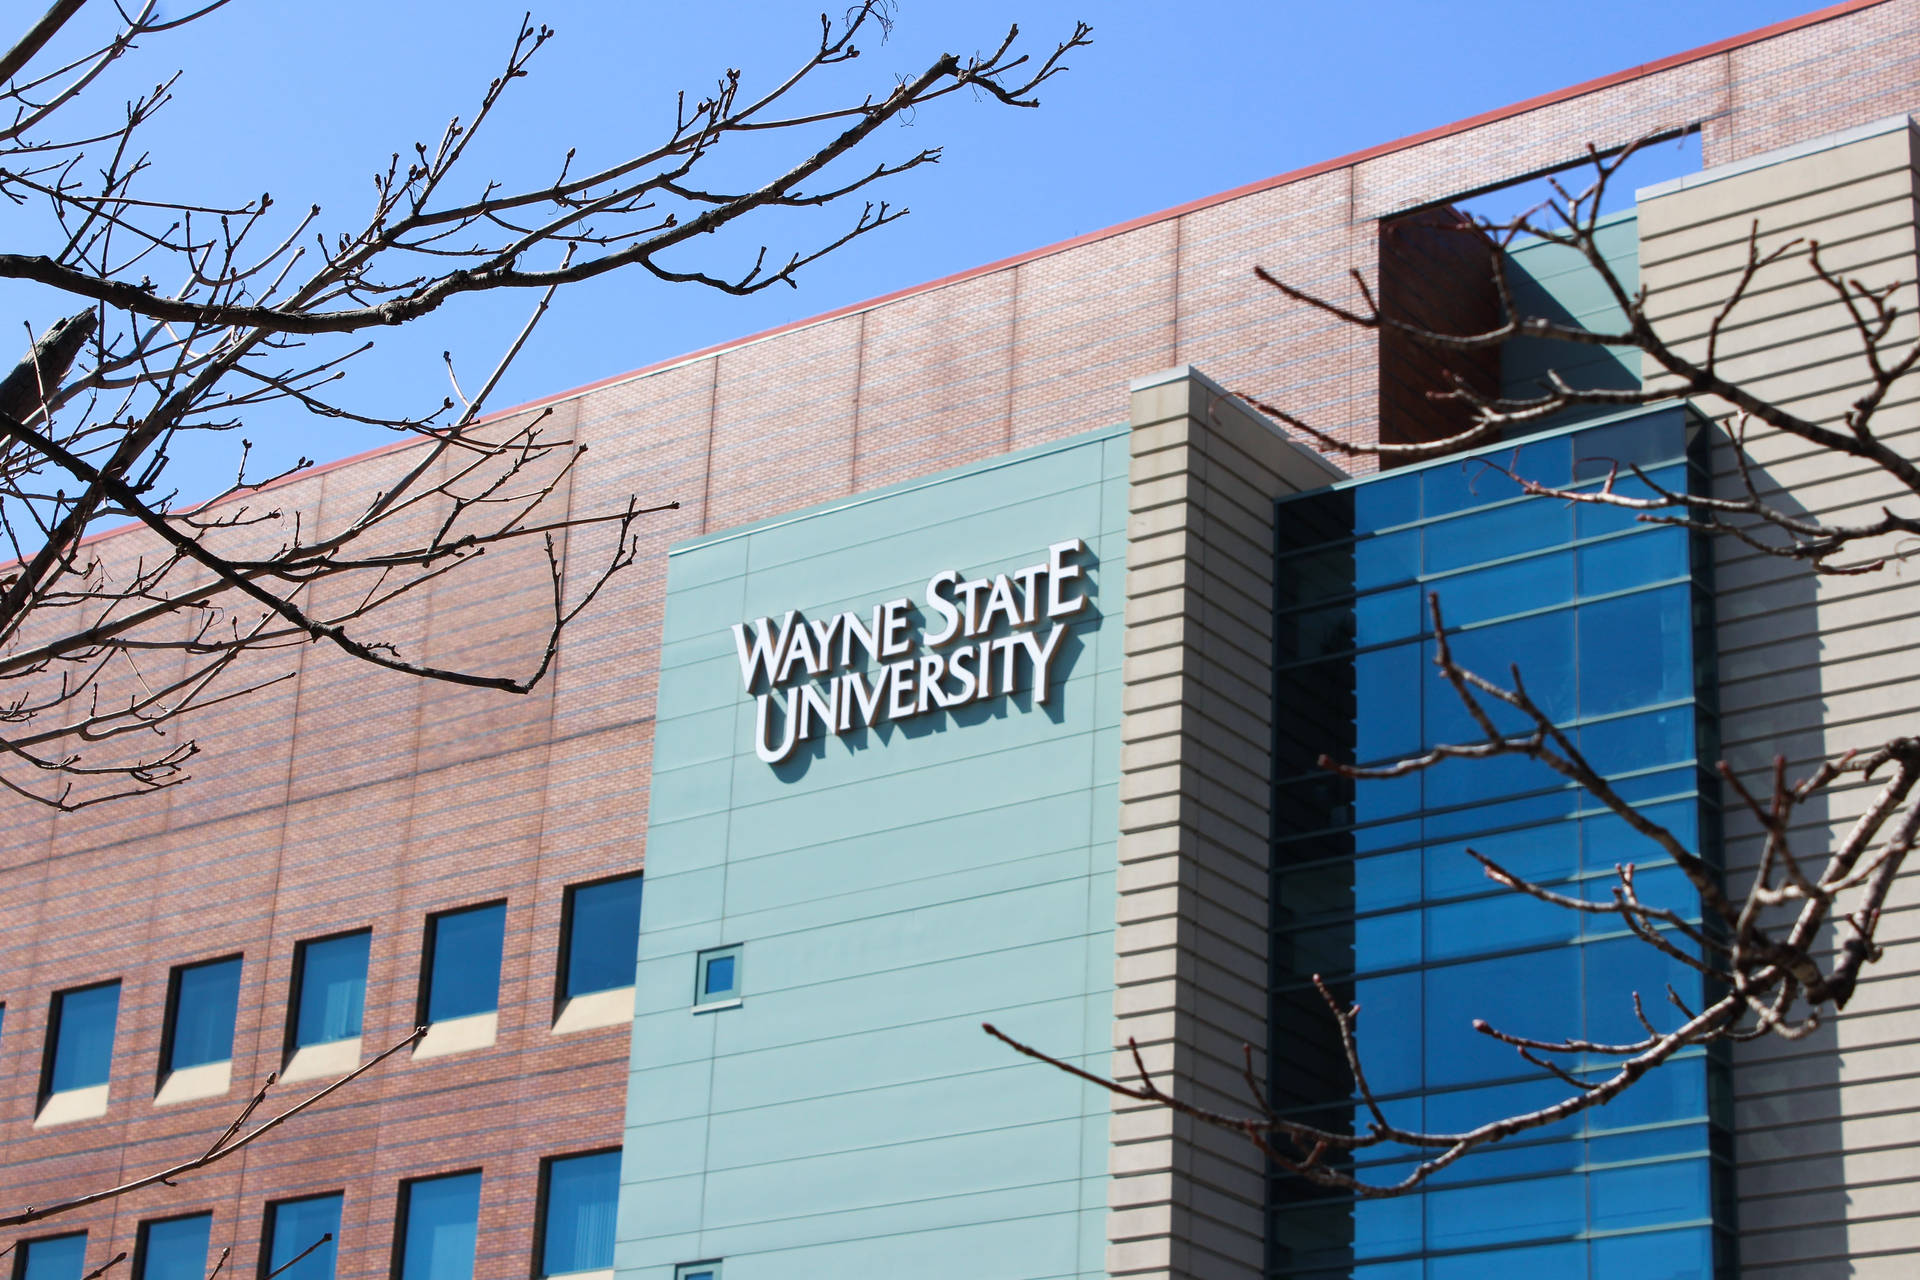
(980, 678)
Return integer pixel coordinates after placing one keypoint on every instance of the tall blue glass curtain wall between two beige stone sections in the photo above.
(1608, 623)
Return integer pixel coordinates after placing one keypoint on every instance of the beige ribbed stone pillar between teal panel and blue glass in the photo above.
(1197, 738)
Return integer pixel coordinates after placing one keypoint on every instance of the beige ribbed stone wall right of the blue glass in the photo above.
(1829, 1127)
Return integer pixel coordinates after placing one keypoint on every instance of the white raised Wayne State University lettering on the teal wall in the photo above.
(911, 675)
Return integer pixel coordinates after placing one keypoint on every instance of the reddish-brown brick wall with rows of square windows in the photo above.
(354, 799)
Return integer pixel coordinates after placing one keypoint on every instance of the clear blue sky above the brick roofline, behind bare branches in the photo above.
(1172, 103)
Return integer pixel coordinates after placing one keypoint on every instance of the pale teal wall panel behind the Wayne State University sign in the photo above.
(892, 889)
